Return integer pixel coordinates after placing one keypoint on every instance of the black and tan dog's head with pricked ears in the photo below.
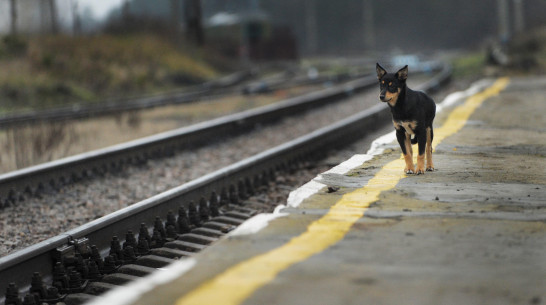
(391, 84)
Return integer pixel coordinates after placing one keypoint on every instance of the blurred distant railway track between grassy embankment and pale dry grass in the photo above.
(246, 82)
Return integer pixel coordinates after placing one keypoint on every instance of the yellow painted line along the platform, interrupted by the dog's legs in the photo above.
(237, 283)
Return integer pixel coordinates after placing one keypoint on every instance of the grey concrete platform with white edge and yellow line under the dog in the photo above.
(471, 232)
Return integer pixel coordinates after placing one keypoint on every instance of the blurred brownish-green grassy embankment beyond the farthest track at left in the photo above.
(40, 72)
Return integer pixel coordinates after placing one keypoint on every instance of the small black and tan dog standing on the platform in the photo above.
(412, 116)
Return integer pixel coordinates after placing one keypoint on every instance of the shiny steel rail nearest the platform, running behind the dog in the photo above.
(19, 266)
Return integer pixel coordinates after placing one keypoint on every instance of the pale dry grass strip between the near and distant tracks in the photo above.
(26, 146)
